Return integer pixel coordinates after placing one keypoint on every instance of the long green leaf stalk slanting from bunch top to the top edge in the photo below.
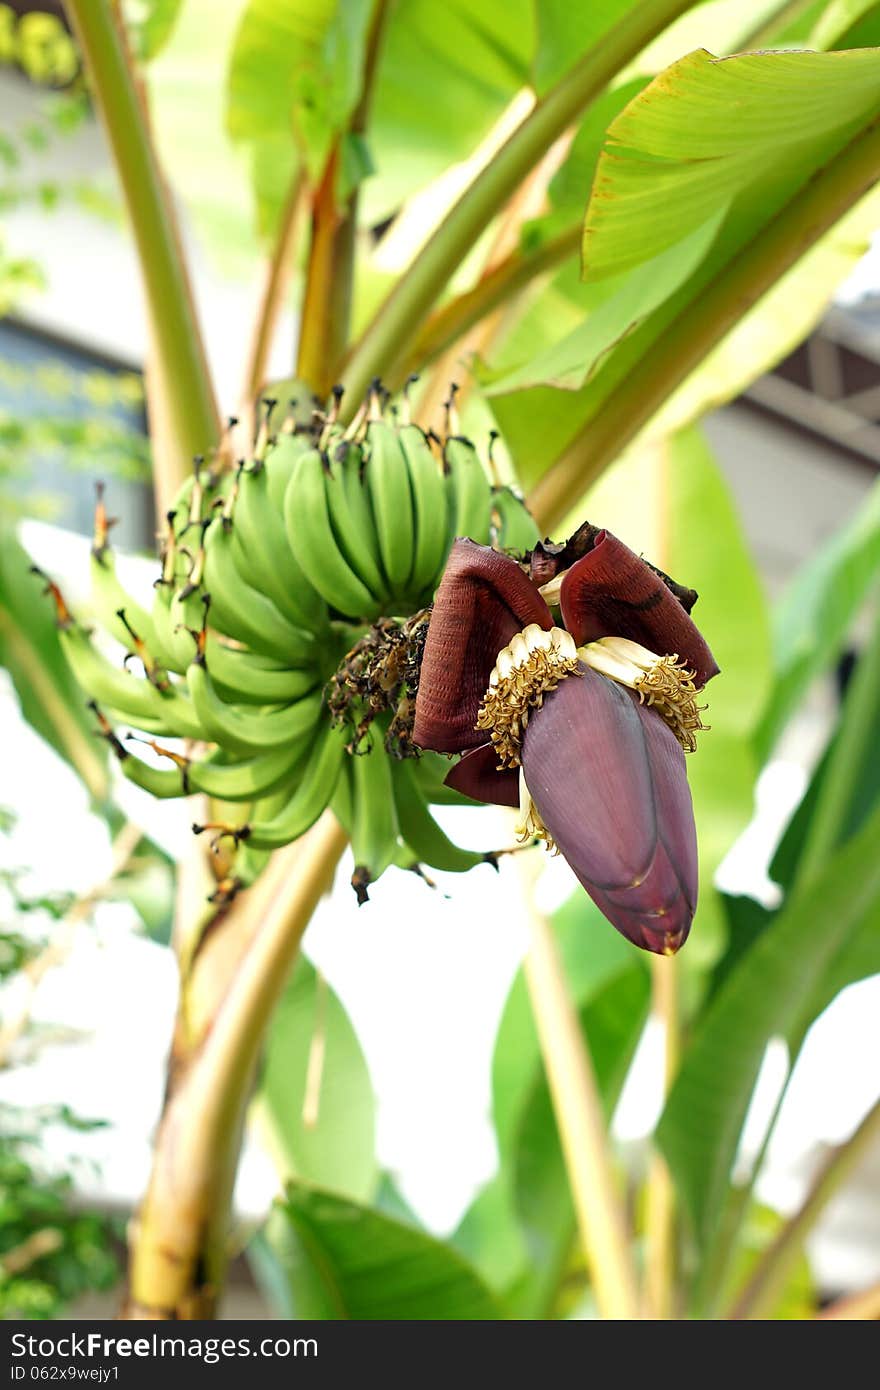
(398, 320)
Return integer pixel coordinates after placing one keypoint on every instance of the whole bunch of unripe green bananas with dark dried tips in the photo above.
(273, 573)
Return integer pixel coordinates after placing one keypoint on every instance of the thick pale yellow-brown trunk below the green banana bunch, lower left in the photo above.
(179, 1249)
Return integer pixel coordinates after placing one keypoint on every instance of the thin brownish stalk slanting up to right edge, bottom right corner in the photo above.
(774, 1270)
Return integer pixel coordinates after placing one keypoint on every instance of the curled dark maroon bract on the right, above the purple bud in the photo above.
(612, 593)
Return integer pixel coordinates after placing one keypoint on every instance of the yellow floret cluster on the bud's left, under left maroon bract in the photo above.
(533, 664)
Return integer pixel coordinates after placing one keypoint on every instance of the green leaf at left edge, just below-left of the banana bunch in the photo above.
(51, 698)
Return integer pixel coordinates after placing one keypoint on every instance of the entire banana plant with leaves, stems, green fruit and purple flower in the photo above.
(352, 589)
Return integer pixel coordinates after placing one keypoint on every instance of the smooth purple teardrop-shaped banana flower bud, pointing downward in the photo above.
(608, 780)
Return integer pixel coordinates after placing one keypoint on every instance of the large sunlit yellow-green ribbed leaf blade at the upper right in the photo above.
(675, 163)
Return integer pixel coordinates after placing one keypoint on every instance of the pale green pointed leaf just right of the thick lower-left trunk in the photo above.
(339, 1149)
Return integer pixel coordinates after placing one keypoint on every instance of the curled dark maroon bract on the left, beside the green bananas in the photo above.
(484, 600)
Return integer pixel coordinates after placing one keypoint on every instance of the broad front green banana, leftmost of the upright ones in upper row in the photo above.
(311, 534)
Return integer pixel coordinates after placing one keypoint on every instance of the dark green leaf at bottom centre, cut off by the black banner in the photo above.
(345, 1261)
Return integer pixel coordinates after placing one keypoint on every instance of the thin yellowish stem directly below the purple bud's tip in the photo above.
(661, 1228)
